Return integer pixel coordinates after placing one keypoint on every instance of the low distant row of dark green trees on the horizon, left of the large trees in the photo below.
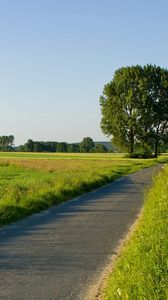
(86, 146)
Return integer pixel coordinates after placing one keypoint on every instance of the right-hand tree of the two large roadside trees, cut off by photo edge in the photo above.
(154, 110)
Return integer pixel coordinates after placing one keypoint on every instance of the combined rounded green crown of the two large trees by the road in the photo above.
(134, 108)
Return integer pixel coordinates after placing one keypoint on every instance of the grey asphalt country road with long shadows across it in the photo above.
(62, 252)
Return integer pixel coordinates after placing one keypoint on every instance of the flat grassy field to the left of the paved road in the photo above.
(30, 182)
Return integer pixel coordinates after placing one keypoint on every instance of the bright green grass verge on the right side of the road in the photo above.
(141, 271)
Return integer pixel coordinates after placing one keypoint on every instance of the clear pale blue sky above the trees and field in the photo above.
(56, 56)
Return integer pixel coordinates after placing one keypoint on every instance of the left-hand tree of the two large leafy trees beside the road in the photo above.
(119, 107)
